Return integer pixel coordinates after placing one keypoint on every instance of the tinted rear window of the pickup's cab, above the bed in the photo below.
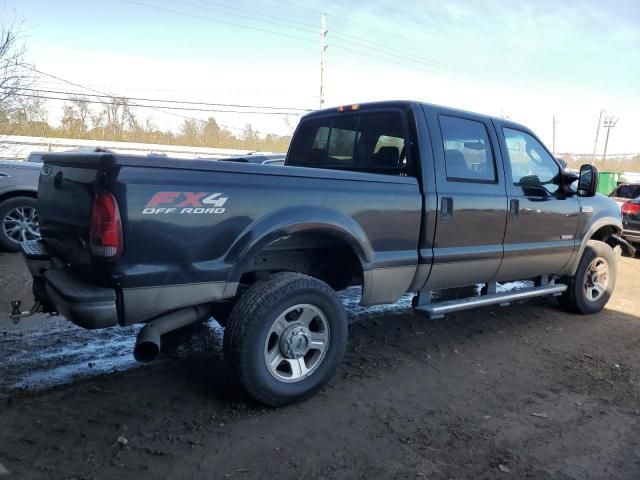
(373, 142)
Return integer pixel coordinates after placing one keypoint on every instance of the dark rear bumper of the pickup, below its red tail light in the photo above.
(86, 305)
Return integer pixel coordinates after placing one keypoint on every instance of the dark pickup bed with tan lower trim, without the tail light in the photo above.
(176, 247)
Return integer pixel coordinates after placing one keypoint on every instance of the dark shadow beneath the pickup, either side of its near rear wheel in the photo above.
(380, 339)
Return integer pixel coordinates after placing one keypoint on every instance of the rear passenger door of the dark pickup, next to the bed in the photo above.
(471, 199)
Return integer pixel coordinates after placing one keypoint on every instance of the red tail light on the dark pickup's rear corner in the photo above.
(106, 227)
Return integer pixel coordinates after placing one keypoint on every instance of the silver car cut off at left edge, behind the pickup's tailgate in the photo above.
(18, 209)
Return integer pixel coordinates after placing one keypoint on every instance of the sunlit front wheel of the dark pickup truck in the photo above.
(592, 285)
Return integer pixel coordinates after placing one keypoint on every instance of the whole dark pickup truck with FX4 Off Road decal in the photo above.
(393, 196)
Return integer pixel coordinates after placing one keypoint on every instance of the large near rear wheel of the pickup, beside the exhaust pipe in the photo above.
(285, 338)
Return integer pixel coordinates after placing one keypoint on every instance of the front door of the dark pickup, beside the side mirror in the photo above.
(542, 221)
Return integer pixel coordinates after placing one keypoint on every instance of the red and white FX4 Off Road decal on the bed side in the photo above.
(185, 203)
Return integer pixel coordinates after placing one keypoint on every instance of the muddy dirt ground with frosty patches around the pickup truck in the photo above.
(525, 391)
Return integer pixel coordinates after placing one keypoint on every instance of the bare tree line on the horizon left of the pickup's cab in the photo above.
(23, 111)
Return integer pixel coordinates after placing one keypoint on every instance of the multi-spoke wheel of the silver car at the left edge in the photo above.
(18, 222)
